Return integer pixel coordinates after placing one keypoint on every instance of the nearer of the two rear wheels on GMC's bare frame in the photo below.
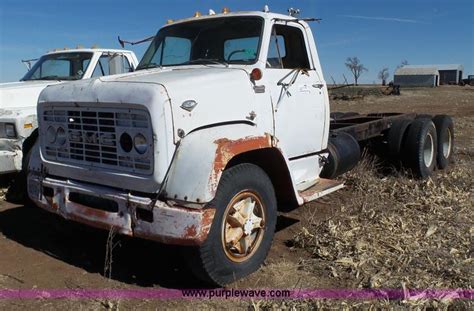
(419, 148)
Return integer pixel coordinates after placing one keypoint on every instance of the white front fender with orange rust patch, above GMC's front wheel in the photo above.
(202, 156)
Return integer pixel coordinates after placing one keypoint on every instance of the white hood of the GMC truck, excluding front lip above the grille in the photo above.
(222, 94)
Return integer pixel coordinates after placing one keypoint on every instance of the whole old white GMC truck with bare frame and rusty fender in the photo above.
(224, 122)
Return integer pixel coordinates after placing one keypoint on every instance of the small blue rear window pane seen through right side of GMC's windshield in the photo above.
(242, 49)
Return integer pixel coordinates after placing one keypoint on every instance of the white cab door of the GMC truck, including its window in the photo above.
(297, 96)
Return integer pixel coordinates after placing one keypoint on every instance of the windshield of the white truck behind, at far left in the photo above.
(59, 66)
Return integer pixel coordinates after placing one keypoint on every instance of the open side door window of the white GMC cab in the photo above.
(288, 44)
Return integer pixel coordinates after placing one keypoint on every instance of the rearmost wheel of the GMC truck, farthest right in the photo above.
(445, 132)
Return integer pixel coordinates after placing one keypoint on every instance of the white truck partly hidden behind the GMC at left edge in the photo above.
(18, 100)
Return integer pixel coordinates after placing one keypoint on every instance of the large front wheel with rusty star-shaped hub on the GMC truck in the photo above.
(243, 227)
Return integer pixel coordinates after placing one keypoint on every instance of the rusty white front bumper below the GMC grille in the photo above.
(163, 222)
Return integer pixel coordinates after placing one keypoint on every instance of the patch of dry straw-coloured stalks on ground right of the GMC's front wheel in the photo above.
(397, 232)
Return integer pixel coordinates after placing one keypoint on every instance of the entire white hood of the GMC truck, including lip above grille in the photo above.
(222, 94)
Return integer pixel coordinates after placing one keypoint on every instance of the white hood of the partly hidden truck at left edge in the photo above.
(19, 95)
